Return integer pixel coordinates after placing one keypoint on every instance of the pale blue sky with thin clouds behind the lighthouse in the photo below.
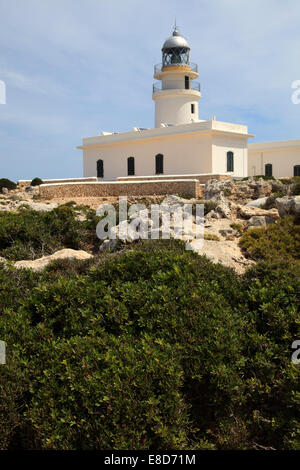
(73, 68)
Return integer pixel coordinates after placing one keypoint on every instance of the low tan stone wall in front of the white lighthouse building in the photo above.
(190, 187)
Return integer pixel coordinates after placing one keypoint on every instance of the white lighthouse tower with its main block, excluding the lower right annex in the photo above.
(180, 147)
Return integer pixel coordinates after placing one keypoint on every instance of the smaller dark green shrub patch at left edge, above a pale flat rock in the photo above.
(31, 234)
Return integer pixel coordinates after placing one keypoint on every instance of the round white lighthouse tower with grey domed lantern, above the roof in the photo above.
(176, 97)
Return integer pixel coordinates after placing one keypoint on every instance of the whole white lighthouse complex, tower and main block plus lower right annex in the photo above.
(180, 143)
